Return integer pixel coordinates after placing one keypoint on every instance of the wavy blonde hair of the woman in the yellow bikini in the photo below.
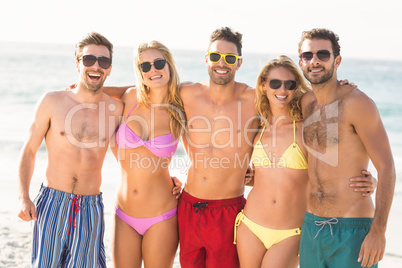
(262, 102)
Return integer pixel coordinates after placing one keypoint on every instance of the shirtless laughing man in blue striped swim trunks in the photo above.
(67, 214)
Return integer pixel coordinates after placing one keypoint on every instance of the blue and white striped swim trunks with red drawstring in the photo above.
(69, 230)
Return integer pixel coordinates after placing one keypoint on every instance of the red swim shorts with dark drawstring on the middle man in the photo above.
(206, 230)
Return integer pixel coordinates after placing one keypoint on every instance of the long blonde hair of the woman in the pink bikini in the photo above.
(175, 107)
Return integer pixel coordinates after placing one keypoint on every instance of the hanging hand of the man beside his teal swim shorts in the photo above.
(372, 249)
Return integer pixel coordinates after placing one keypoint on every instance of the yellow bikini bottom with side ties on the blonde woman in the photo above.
(268, 237)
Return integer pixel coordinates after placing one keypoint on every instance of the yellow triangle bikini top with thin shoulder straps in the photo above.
(292, 158)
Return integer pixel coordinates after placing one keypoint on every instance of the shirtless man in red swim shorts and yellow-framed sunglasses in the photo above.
(221, 122)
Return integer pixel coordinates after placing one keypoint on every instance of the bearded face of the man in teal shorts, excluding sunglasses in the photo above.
(315, 70)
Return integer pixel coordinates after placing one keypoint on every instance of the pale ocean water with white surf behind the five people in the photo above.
(29, 70)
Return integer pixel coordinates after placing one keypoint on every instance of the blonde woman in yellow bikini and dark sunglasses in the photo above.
(268, 230)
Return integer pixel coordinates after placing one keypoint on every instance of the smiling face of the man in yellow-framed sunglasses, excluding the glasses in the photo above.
(221, 73)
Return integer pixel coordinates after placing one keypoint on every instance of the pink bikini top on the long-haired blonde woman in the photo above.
(161, 146)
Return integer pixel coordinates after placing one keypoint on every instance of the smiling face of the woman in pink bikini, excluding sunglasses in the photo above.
(154, 77)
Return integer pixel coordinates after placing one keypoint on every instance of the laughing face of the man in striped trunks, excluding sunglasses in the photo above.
(93, 77)
